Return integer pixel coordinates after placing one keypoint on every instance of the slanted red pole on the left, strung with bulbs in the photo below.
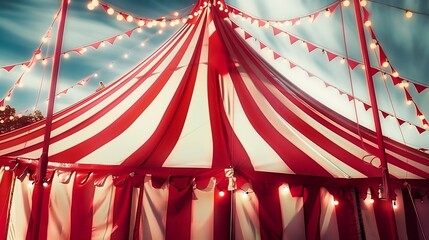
(43, 161)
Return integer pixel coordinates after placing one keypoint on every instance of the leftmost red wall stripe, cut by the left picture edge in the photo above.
(6, 181)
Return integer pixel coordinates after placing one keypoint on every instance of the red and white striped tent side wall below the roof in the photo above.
(88, 206)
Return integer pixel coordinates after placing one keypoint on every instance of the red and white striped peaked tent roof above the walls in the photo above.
(205, 101)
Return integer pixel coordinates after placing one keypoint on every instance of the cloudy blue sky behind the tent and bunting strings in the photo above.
(23, 23)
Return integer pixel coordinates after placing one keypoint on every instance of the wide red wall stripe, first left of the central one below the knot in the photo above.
(179, 212)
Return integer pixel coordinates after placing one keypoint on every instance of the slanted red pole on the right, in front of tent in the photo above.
(386, 191)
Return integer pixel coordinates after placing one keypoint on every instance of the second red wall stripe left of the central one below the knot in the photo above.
(122, 211)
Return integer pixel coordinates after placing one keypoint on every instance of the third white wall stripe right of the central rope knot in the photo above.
(328, 218)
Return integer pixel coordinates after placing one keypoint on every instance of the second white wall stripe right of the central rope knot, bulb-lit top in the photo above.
(292, 214)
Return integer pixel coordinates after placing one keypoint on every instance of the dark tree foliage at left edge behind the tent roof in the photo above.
(10, 120)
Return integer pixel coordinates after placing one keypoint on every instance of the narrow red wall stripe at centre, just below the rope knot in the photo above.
(222, 215)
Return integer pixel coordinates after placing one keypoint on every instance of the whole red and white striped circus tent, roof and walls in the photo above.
(207, 139)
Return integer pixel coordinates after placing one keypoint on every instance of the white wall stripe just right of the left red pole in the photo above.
(59, 210)
